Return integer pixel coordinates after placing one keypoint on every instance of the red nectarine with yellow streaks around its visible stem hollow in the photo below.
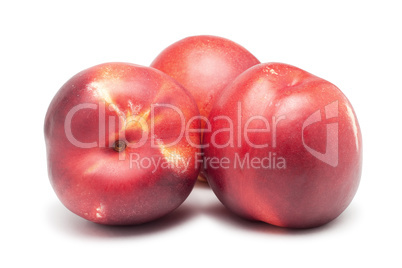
(98, 183)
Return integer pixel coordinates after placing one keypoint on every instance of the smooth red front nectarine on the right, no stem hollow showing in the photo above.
(306, 191)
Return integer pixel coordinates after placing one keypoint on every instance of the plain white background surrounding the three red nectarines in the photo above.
(354, 44)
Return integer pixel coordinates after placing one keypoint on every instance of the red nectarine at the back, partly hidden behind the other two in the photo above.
(204, 65)
